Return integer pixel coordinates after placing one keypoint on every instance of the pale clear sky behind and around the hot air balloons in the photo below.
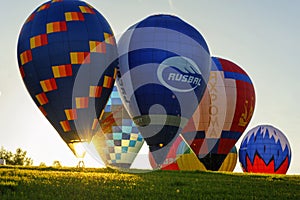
(262, 37)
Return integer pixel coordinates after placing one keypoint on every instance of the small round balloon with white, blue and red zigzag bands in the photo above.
(265, 149)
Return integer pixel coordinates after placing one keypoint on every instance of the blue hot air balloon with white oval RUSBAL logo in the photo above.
(164, 69)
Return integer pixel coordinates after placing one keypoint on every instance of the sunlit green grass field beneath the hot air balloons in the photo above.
(72, 183)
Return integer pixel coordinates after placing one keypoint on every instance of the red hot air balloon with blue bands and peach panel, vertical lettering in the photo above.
(223, 113)
